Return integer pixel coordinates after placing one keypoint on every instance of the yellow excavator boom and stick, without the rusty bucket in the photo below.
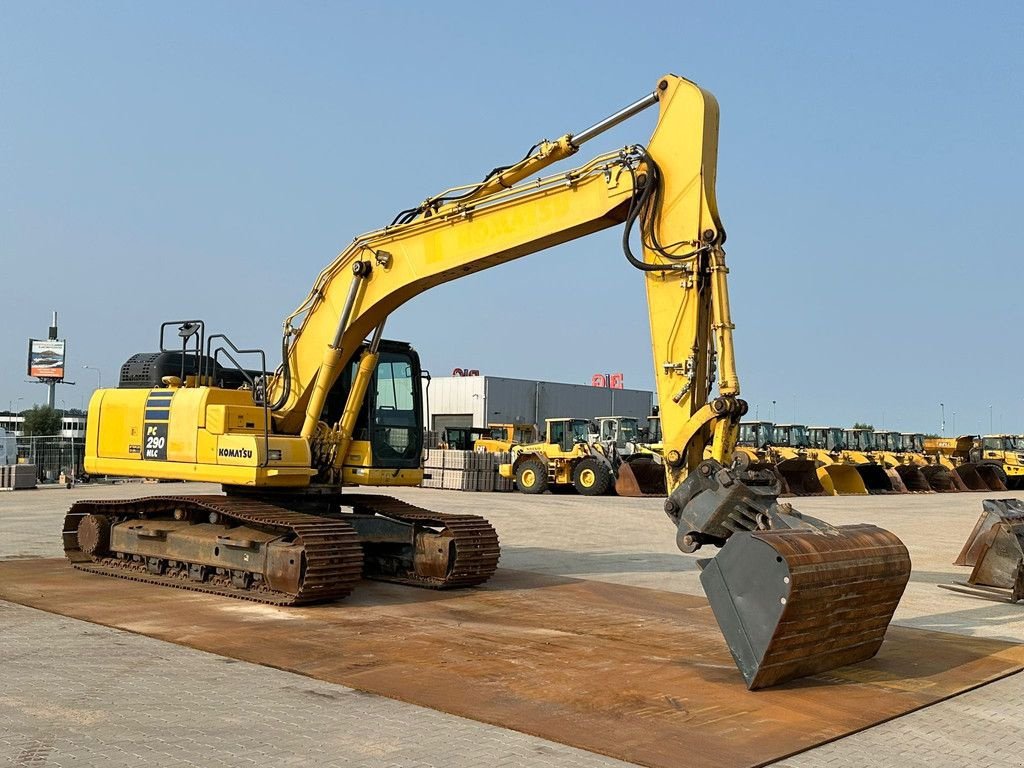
(666, 190)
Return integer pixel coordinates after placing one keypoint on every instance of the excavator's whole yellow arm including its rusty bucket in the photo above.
(793, 594)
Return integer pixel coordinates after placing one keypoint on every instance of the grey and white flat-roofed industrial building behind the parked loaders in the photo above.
(479, 401)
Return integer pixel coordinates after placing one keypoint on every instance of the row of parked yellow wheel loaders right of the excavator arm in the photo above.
(830, 461)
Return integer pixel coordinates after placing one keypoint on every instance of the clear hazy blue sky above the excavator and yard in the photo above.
(207, 159)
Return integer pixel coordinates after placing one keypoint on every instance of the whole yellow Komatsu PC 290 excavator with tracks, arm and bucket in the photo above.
(793, 595)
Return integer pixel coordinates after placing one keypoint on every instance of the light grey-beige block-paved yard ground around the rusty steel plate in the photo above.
(74, 693)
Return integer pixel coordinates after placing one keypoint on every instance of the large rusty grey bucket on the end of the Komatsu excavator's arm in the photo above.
(793, 604)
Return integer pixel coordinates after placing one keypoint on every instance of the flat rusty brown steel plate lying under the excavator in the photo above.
(637, 674)
